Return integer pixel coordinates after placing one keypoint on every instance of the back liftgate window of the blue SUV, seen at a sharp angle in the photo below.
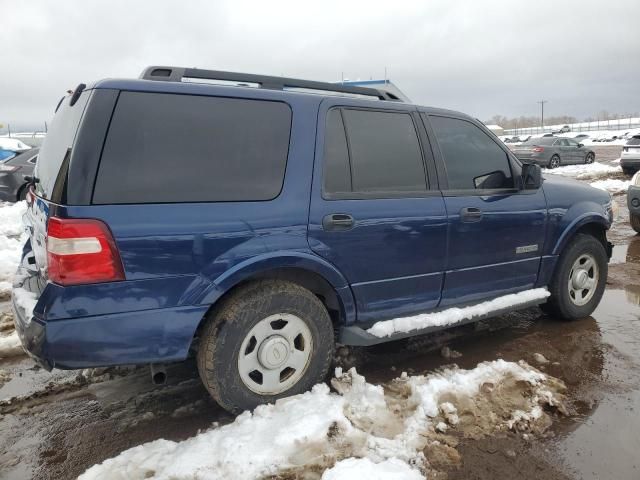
(58, 142)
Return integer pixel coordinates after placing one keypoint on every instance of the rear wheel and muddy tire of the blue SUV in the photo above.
(269, 340)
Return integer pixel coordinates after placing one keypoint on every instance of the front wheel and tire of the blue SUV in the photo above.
(579, 280)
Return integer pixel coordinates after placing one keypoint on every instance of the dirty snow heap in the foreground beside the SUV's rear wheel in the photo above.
(362, 431)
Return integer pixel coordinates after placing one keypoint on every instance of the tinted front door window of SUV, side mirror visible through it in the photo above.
(472, 159)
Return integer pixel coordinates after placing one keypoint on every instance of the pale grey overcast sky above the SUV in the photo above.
(481, 57)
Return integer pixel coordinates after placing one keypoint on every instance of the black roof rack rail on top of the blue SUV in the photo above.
(176, 74)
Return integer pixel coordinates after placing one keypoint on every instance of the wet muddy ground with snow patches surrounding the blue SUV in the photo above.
(517, 396)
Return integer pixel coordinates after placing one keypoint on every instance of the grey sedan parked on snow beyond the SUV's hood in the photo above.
(552, 152)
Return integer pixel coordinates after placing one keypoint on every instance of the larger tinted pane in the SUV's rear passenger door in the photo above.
(384, 151)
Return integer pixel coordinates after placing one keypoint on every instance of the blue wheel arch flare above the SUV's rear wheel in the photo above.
(290, 259)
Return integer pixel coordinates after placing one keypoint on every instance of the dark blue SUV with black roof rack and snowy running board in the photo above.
(258, 221)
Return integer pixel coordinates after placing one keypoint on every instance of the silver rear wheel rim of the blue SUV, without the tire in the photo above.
(275, 354)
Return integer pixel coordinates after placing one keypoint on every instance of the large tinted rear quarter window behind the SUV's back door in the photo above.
(183, 148)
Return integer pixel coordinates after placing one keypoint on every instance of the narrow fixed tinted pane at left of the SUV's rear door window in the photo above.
(337, 175)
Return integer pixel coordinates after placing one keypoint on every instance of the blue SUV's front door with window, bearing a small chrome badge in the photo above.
(496, 231)
